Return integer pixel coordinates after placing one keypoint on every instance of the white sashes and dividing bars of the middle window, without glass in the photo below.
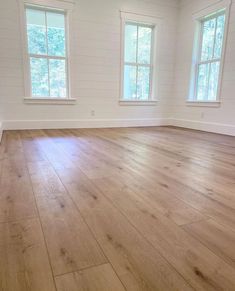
(137, 64)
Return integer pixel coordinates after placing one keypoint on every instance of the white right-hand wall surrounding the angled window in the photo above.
(221, 119)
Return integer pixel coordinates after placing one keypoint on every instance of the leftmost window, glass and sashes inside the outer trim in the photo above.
(47, 55)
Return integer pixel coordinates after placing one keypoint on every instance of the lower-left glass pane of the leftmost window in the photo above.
(39, 77)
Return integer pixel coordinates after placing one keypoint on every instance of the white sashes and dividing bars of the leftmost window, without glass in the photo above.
(47, 56)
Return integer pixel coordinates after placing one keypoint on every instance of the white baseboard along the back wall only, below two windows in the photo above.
(83, 123)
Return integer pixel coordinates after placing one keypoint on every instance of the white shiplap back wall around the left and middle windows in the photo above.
(95, 57)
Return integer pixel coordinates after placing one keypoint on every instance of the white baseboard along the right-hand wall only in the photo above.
(204, 126)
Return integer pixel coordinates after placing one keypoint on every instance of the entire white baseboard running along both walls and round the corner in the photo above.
(107, 123)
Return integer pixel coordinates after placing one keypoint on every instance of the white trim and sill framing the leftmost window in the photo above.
(63, 7)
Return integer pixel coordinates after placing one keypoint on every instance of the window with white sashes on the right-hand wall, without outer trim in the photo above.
(208, 57)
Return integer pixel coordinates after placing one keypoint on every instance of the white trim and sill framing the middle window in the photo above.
(155, 23)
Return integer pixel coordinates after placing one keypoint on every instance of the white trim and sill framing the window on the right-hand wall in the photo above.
(199, 18)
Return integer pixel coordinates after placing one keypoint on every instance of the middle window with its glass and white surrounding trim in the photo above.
(138, 58)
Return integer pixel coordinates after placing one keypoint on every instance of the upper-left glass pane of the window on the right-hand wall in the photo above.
(208, 31)
